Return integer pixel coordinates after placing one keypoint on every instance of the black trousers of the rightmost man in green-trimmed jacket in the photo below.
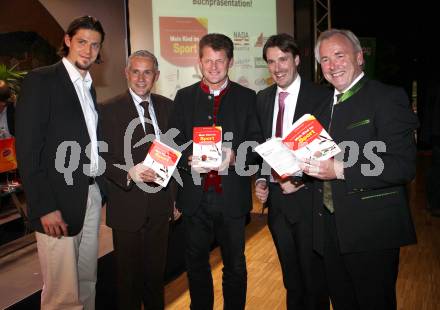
(363, 280)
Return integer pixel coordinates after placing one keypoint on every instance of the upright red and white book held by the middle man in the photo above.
(207, 147)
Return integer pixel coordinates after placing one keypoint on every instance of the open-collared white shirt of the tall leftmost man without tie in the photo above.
(82, 88)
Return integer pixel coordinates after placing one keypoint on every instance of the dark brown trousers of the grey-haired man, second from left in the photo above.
(140, 261)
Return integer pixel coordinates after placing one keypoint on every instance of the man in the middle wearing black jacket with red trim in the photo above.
(217, 206)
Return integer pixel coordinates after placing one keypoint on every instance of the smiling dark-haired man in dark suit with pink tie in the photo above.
(290, 200)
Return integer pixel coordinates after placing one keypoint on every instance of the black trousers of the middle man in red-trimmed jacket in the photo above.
(201, 229)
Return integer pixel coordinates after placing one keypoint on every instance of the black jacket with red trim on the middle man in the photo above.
(236, 114)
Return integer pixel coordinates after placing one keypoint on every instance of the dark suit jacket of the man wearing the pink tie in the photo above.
(311, 99)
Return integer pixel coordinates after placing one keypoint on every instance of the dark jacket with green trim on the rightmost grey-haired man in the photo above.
(371, 212)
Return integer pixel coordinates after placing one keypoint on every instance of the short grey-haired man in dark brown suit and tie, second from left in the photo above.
(138, 215)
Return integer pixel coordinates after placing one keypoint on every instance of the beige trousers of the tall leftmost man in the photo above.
(69, 265)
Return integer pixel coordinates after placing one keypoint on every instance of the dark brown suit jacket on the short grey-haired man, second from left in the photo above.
(129, 206)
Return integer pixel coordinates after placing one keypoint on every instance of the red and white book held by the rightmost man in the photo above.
(308, 139)
